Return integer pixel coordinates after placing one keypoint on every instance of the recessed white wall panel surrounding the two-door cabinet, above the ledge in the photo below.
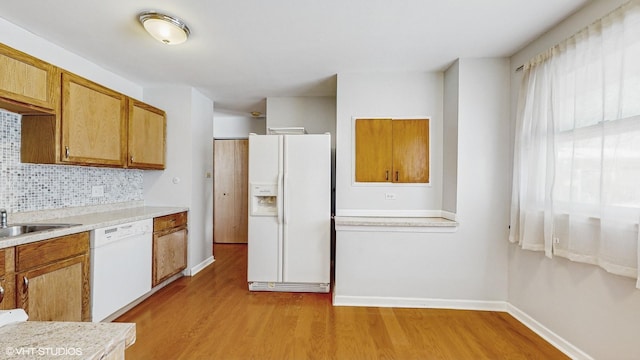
(394, 95)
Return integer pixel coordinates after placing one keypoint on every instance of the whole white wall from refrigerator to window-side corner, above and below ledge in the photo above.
(416, 268)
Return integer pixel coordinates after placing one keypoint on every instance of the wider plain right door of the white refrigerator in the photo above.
(307, 208)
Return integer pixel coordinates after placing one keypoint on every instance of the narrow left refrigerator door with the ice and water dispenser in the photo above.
(265, 232)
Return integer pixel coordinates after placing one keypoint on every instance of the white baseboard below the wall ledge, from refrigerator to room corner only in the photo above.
(341, 300)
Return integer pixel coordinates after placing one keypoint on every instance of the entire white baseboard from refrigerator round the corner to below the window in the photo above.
(554, 339)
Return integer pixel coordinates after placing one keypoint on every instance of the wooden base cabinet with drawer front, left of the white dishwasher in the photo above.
(52, 278)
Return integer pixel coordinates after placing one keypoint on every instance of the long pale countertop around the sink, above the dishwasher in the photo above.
(86, 221)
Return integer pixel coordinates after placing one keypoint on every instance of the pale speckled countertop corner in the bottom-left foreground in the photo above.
(65, 340)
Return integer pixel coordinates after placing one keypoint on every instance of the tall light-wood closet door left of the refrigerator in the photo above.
(230, 191)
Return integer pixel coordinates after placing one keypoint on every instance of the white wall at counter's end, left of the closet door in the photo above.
(189, 160)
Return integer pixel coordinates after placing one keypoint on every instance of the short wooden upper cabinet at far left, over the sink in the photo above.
(27, 85)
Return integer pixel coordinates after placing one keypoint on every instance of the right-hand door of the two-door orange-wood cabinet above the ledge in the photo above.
(411, 151)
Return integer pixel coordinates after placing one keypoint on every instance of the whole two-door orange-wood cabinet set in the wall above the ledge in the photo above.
(392, 150)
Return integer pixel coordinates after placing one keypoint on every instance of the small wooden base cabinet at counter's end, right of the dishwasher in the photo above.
(169, 246)
